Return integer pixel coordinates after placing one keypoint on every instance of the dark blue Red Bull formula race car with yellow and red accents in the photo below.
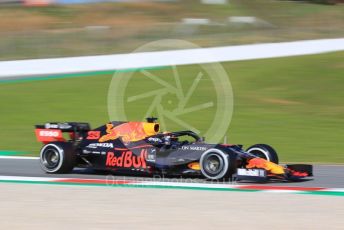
(139, 148)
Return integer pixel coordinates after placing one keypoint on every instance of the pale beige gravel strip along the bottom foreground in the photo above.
(27, 206)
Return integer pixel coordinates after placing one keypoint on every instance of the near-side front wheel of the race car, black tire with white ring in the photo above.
(216, 164)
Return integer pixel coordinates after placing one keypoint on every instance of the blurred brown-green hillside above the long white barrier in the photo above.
(57, 31)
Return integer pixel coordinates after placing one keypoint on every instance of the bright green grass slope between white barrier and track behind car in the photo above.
(295, 104)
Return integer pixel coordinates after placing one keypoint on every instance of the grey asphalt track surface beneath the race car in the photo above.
(326, 176)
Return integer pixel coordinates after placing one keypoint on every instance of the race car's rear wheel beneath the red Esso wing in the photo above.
(57, 157)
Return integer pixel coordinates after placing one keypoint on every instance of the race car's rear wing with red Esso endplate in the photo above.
(53, 131)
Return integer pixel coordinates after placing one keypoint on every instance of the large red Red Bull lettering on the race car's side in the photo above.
(127, 160)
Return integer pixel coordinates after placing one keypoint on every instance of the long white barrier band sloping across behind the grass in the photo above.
(166, 58)
